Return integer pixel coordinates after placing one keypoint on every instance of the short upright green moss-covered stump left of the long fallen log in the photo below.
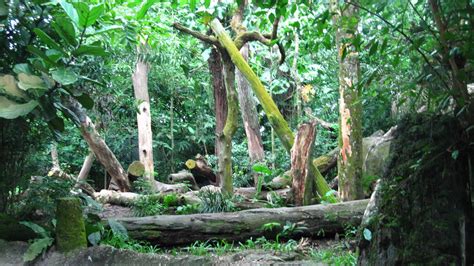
(70, 228)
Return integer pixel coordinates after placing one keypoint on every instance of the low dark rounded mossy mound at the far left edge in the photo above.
(12, 230)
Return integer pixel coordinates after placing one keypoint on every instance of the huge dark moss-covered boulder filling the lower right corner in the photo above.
(424, 213)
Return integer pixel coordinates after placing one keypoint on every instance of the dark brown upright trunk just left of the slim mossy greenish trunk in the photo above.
(220, 100)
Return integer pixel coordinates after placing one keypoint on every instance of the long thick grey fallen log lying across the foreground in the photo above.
(167, 230)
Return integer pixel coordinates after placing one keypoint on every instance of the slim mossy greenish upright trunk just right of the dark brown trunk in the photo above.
(225, 167)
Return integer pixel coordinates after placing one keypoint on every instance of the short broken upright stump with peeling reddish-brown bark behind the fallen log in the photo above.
(303, 177)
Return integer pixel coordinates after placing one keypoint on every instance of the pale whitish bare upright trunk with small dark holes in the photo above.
(145, 138)
